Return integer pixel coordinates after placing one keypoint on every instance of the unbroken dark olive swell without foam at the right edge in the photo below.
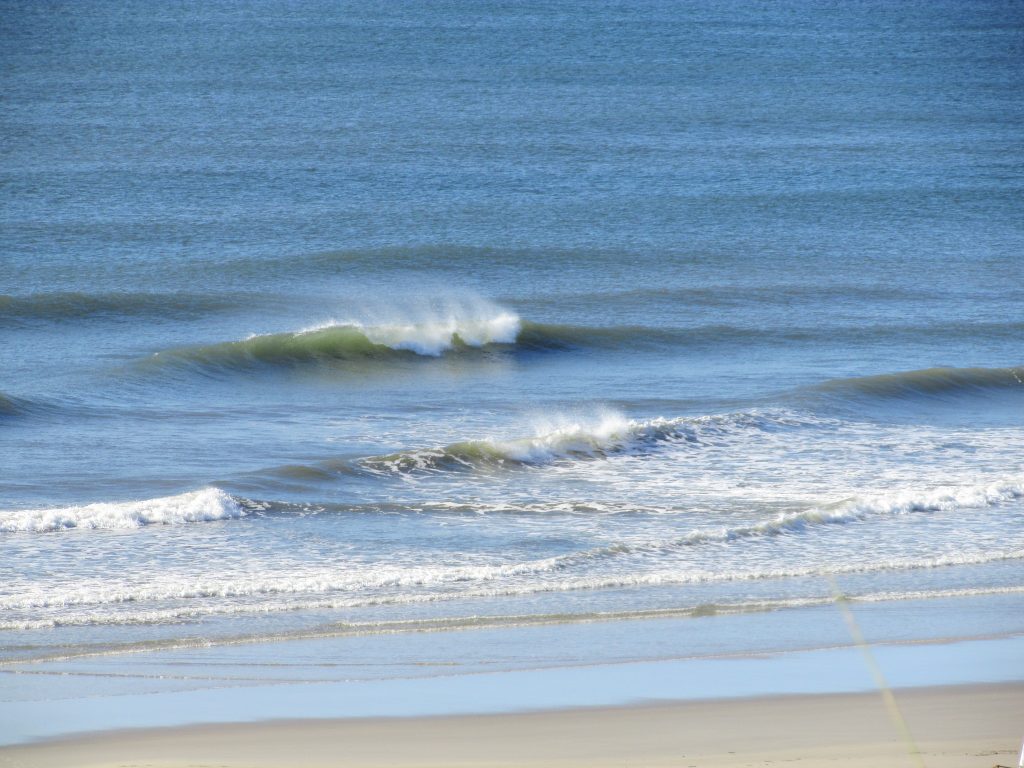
(927, 382)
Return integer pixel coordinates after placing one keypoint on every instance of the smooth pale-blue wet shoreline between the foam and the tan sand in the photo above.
(499, 672)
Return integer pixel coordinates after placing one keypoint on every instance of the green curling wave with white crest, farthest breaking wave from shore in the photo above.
(459, 327)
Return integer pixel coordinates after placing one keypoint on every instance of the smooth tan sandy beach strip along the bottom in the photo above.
(953, 727)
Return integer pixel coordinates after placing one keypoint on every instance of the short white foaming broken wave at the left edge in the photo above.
(197, 506)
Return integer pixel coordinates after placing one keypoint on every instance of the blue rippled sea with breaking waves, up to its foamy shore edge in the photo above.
(393, 316)
